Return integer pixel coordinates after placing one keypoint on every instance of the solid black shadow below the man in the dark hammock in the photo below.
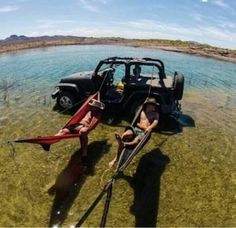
(146, 184)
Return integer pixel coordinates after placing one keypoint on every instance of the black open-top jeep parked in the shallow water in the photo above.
(124, 84)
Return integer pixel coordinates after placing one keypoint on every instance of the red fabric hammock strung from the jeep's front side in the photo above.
(46, 141)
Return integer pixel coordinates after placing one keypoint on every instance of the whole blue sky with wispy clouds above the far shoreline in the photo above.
(206, 21)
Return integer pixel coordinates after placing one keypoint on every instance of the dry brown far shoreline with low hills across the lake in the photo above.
(15, 43)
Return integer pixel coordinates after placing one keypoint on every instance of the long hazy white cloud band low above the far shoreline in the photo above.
(149, 29)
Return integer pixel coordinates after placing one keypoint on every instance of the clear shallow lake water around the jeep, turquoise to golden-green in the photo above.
(184, 179)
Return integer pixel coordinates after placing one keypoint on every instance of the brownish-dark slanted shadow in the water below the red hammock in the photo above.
(70, 181)
